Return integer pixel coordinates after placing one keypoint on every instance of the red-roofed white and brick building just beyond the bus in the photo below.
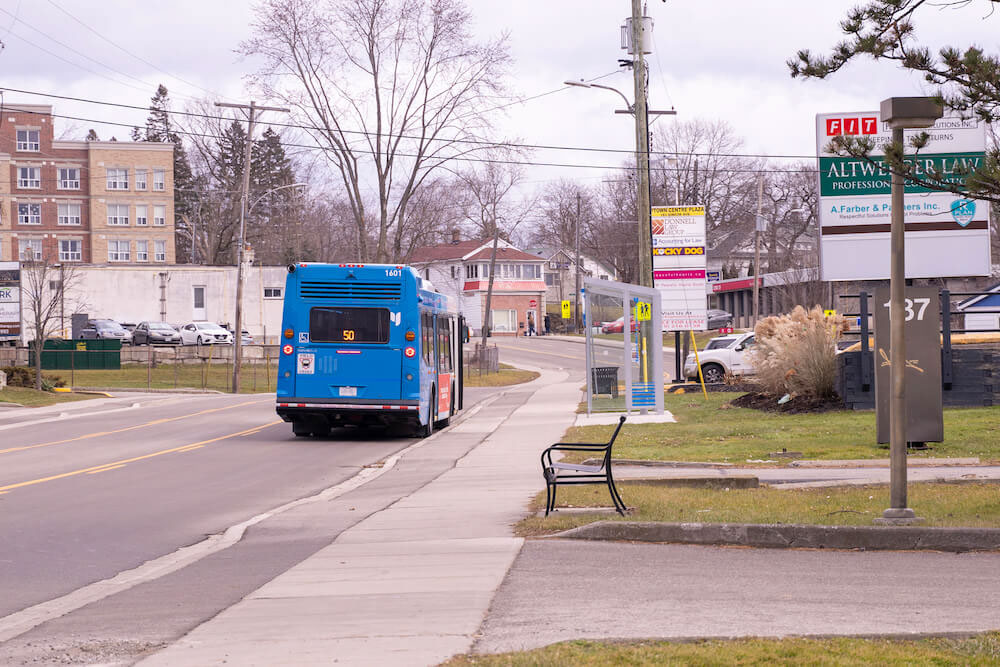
(460, 269)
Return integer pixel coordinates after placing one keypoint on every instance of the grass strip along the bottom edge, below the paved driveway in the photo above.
(983, 649)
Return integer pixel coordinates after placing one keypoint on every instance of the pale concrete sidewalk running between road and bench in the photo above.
(410, 584)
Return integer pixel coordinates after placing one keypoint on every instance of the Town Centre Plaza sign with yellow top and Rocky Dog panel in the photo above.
(678, 234)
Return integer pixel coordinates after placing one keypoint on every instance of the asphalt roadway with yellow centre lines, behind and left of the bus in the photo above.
(85, 497)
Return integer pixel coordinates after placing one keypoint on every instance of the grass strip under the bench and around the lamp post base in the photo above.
(967, 505)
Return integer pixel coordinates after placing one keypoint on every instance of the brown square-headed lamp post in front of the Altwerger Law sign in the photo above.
(900, 113)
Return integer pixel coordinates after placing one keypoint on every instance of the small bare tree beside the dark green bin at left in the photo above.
(44, 293)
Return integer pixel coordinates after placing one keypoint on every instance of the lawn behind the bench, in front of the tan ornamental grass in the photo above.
(712, 430)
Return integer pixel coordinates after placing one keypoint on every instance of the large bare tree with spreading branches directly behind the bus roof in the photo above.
(389, 88)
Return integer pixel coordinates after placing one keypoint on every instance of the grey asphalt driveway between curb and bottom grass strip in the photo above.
(561, 589)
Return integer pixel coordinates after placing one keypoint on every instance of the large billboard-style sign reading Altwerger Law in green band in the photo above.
(946, 234)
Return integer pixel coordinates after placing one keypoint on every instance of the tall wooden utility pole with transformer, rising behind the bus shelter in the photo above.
(641, 146)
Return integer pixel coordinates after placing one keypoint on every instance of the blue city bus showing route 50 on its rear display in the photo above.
(367, 344)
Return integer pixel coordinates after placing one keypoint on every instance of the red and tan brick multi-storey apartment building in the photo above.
(82, 201)
